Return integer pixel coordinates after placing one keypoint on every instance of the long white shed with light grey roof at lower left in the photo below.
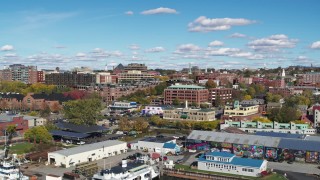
(86, 153)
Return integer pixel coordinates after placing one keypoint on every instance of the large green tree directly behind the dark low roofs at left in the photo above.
(84, 111)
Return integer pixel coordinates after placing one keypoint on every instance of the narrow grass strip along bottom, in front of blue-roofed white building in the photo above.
(273, 176)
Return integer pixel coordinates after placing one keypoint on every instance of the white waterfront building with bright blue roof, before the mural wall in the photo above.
(225, 162)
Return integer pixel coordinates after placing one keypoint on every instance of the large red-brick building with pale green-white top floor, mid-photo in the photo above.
(190, 93)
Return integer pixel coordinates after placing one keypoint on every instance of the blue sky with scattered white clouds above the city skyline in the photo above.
(162, 34)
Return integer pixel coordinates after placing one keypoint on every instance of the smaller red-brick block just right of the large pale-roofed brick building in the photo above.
(219, 96)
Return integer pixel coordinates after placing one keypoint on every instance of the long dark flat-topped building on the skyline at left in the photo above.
(70, 79)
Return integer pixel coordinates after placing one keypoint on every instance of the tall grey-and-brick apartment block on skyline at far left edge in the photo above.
(19, 72)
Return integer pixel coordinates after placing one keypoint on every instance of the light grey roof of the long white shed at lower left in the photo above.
(88, 147)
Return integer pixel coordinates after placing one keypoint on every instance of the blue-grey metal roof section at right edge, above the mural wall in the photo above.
(299, 144)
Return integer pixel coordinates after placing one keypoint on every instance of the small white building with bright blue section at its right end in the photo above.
(153, 144)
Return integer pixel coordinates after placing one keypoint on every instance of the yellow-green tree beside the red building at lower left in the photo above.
(38, 134)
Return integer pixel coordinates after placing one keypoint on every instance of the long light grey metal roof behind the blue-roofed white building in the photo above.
(235, 138)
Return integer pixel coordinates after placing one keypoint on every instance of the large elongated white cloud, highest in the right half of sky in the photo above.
(204, 24)
